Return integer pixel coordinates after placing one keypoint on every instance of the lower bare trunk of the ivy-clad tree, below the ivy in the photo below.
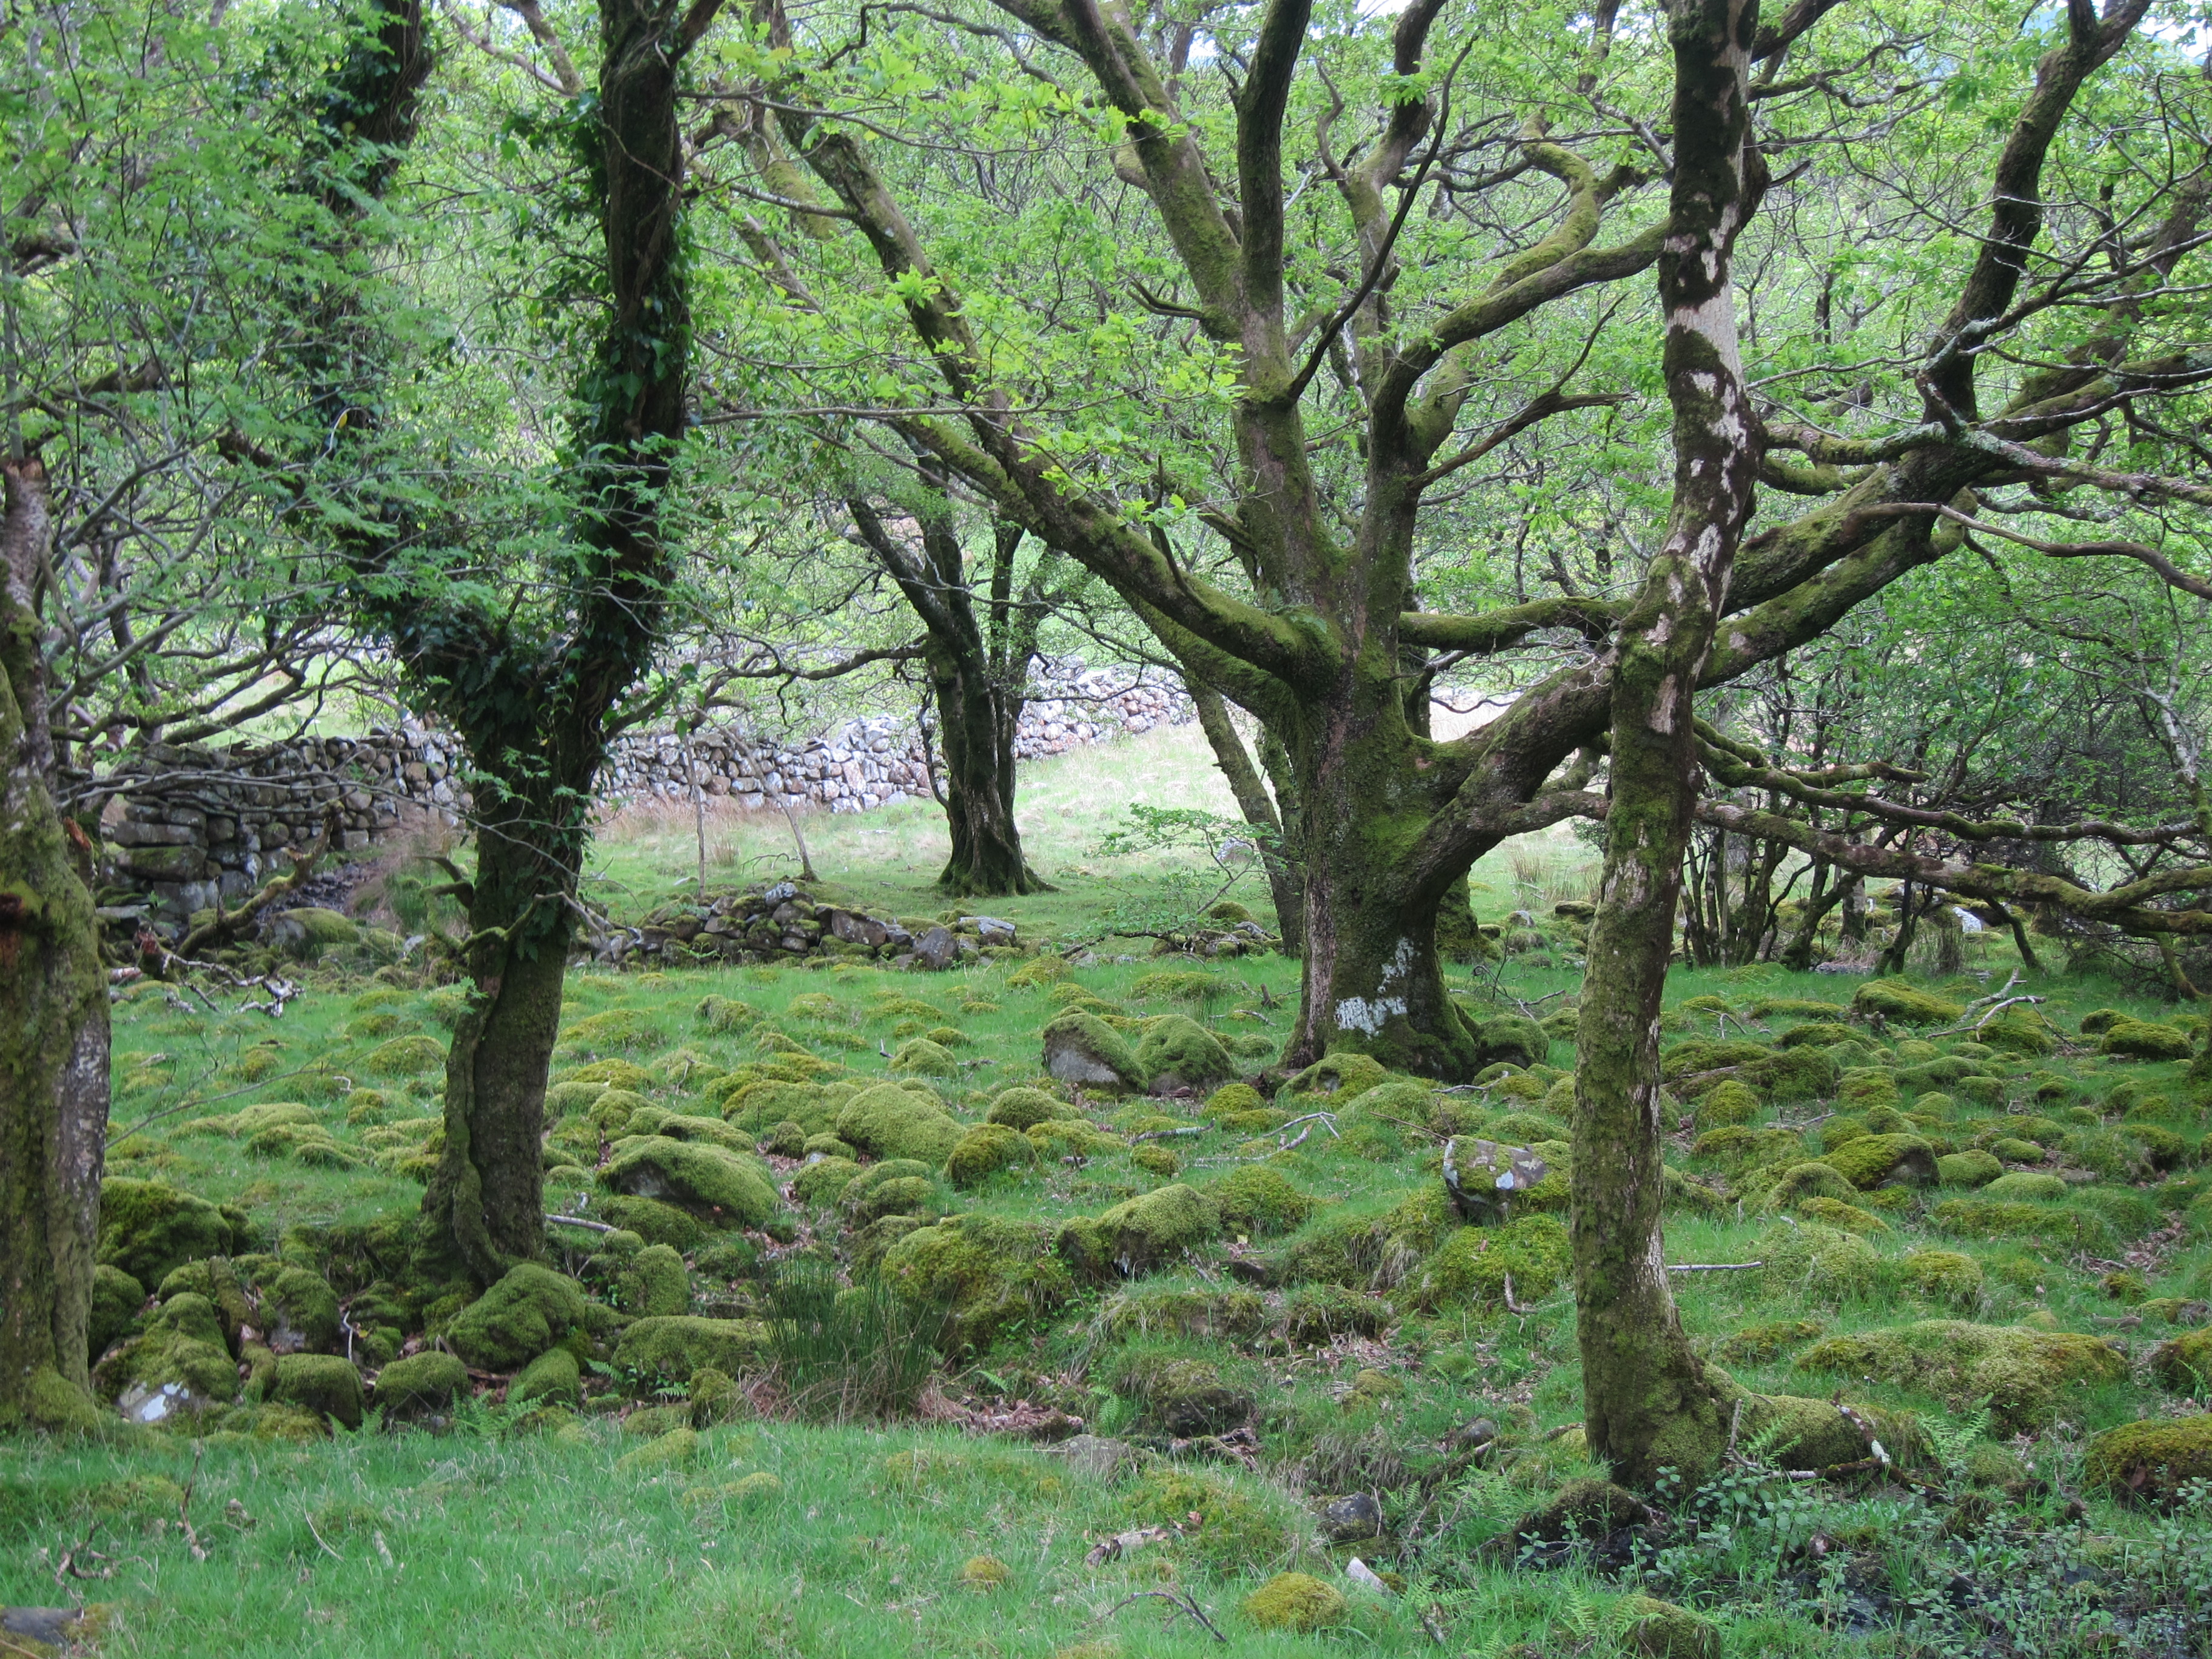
(486, 1202)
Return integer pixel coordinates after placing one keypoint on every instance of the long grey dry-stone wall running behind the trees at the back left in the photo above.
(191, 824)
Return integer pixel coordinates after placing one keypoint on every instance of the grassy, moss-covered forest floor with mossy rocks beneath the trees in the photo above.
(1322, 1326)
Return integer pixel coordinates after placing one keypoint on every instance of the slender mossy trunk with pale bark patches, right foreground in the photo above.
(1647, 1399)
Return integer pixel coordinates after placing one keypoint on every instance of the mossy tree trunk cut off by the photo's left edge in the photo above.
(54, 1019)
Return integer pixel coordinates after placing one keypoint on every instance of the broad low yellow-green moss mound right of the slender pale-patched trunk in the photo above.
(2021, 1370)
